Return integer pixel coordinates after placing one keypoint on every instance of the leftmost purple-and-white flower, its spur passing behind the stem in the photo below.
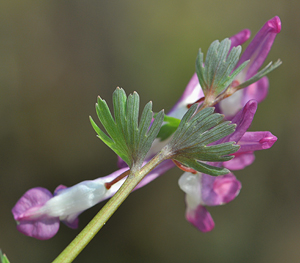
(38, 213)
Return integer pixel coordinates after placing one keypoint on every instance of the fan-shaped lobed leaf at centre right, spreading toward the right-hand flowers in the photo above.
(194, 141)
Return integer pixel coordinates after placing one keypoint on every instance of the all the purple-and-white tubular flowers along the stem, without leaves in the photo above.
(38, 213)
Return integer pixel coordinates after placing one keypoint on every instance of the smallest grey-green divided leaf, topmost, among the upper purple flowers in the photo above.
(218, 72)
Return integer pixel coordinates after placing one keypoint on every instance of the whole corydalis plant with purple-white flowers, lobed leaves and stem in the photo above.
(198, 145)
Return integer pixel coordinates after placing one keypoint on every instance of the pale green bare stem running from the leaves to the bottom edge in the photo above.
(87, 234)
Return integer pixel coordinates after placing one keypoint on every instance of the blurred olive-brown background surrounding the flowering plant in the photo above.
(57, 56)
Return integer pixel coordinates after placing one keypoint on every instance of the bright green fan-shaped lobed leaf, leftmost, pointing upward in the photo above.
(127, 137)
